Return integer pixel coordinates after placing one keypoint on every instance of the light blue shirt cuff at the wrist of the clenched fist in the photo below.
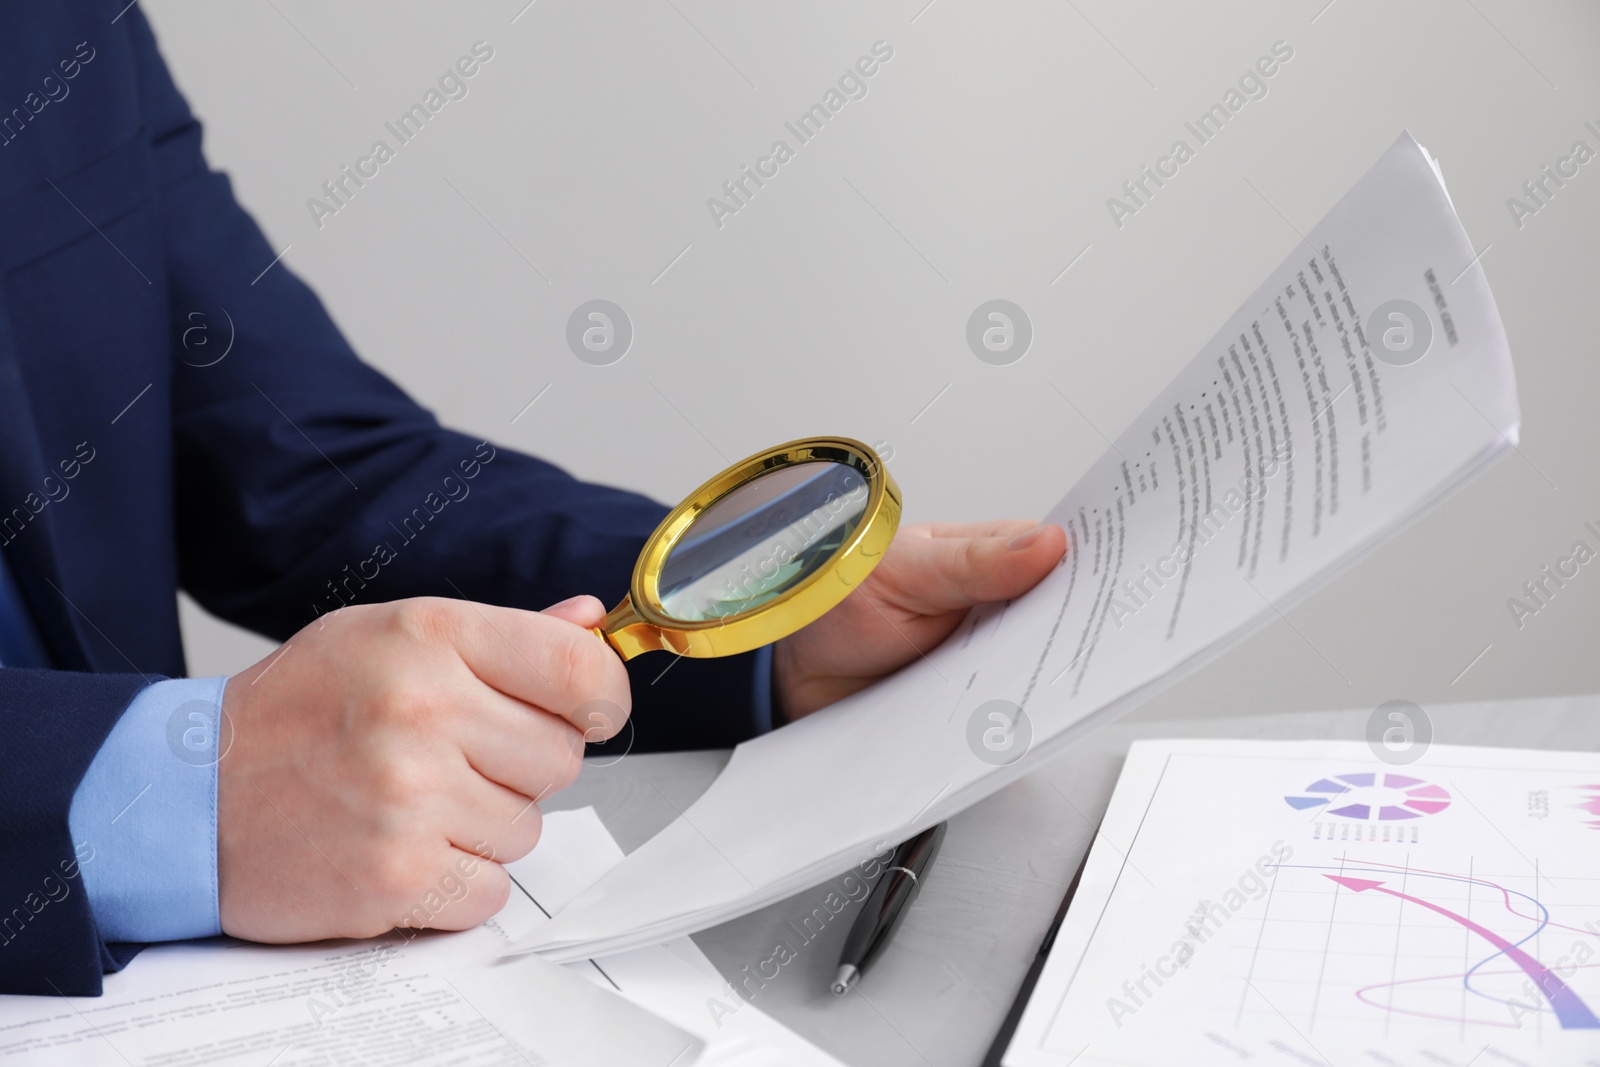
(148, 807)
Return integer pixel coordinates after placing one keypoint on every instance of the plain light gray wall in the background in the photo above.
(977, 167)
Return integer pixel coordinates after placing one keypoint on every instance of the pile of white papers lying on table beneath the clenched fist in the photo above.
(436, 999)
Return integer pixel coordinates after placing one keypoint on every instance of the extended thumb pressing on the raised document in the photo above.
(938, 575)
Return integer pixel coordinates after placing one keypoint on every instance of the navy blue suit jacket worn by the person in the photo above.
(260, 484)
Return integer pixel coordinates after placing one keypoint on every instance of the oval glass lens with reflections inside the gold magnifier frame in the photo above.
(761, 540)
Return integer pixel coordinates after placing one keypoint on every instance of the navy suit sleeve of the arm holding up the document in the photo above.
(308, 481)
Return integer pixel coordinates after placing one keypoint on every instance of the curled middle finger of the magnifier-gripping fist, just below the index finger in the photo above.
(521, 748)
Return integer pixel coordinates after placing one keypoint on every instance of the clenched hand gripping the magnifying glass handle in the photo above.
(386, 753)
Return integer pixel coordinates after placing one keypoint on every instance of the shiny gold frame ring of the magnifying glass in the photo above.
(641, 625)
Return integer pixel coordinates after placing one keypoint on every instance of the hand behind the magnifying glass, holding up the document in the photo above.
(911, 602)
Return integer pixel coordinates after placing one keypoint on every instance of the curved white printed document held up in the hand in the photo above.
(1302, 436)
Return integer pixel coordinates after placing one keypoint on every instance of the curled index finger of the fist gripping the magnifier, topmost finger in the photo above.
(534, 658)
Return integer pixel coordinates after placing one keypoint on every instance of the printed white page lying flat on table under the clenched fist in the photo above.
(359, 1004)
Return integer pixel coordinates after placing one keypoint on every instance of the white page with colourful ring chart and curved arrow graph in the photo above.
(1303, 903)
